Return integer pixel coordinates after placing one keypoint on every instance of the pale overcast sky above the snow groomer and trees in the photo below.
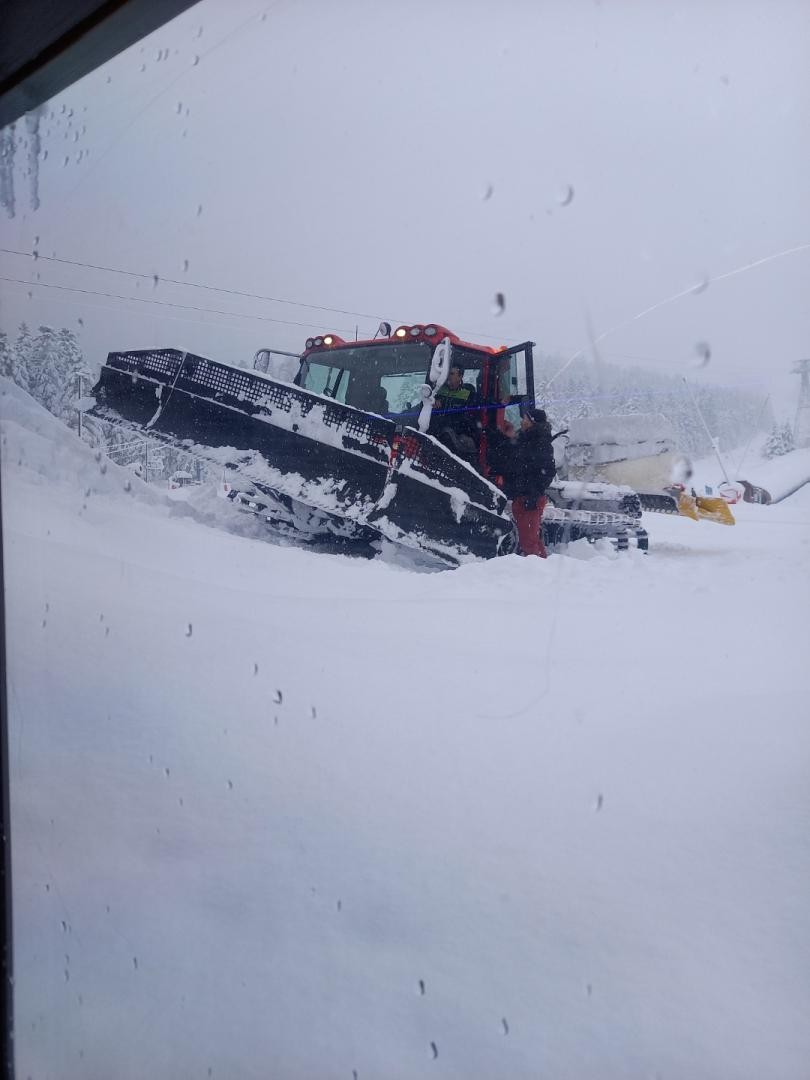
(342, 153)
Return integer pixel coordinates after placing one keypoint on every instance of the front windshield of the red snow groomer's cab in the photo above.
(383, 380)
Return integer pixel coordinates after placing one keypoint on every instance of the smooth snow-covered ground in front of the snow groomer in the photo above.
(288, 815)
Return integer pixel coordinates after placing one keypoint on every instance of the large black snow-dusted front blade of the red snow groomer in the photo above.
(360, 470)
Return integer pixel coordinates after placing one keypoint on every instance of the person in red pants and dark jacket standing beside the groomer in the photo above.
(528, 466)
